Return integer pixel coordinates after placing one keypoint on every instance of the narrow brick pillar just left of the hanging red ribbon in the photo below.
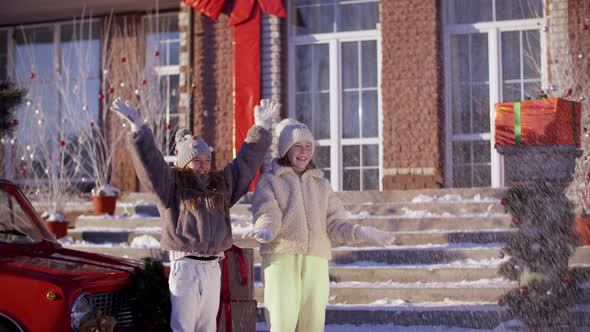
(213, 79)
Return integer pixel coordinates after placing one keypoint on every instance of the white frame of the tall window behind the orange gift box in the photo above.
(494, 30)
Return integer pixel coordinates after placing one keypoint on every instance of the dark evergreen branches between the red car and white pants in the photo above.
(151, 306)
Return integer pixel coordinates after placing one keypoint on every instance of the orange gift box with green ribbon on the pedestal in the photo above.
(550, 121)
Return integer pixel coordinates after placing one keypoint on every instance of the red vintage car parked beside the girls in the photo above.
(45, 287)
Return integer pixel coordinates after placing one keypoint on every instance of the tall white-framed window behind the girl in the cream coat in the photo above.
(334, 87)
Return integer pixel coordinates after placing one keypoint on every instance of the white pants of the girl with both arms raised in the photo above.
(195, 288)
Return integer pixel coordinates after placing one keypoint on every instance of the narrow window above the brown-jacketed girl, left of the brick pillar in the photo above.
(162, 66)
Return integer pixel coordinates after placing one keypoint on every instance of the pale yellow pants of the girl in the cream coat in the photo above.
(296, 291)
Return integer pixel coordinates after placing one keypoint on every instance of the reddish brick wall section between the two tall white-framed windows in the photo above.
(413, 120)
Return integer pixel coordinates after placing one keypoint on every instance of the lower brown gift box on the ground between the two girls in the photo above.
(243, 317)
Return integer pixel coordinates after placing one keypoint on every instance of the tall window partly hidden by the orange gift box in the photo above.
(494, 53)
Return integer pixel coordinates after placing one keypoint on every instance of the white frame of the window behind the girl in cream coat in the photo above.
(333, 40)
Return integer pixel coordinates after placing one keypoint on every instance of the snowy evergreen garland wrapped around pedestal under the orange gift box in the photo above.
(539, 255)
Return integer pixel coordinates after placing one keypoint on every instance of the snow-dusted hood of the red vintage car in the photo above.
(87, 269)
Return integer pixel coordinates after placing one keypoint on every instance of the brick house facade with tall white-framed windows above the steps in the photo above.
(398, 93)
